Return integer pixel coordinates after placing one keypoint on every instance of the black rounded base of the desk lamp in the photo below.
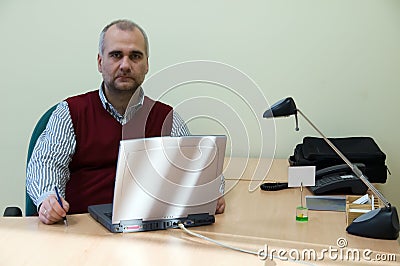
(380, 223)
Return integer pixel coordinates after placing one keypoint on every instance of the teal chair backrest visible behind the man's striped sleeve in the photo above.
(30, 207)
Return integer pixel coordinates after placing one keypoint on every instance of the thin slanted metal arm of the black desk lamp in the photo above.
(353, 167)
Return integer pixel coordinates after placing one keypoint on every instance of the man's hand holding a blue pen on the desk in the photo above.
(50, 210)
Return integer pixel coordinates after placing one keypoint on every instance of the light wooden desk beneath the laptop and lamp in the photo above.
(251, 220)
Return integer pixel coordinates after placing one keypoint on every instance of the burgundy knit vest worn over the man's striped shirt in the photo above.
(93, 166)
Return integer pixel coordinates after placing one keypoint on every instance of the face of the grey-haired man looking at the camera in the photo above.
(124, 62)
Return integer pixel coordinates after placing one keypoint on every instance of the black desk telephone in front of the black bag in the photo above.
(338, 179)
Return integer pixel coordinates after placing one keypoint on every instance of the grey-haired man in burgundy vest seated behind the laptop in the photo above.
(77, 152)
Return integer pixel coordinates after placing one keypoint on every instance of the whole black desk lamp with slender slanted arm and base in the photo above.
(382, 223)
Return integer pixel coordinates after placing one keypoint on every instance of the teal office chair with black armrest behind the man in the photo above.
(30, 207)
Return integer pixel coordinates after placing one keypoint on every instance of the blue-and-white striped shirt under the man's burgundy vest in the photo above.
(49, 164)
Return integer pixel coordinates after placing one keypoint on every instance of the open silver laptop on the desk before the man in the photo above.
(162, 181)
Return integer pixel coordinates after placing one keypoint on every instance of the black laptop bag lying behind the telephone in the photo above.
(315, 151)
